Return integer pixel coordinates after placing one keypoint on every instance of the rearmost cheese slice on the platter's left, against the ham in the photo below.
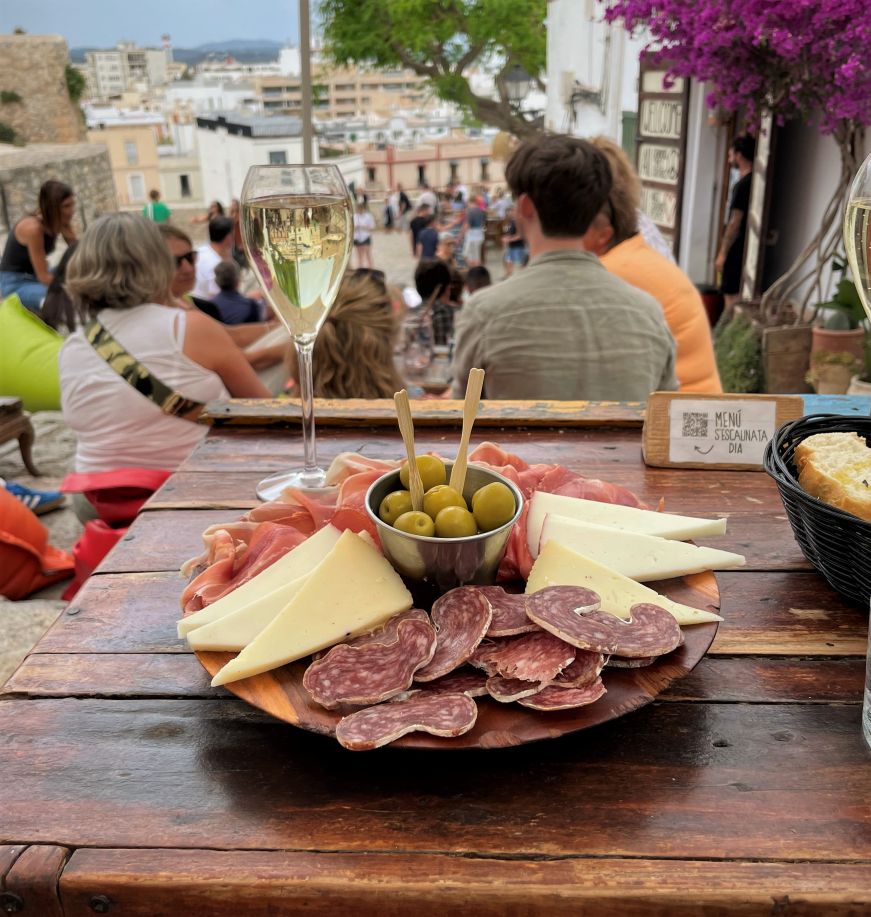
(296, 563)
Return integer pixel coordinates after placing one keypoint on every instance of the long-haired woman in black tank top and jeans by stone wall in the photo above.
(24, 268)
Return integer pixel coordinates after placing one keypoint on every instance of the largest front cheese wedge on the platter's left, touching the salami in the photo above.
(351, 591)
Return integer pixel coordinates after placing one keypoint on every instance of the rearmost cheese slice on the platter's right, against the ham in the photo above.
(628, 518)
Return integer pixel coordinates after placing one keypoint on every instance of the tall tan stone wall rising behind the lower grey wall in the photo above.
(33, 67)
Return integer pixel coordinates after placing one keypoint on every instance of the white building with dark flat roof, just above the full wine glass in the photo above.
(230, 144)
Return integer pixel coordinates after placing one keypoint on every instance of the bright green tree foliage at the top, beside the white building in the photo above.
(441, 42)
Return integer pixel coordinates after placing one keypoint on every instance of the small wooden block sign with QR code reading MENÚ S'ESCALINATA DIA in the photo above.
(725, 431)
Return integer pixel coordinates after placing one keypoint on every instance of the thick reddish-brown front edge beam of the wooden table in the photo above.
(269, 883)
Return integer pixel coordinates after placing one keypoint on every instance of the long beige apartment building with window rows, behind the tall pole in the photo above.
(345, 93)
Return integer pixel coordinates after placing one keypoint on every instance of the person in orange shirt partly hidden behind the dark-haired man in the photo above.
(614, 236)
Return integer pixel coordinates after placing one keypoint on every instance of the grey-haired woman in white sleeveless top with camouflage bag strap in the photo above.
(140, 410)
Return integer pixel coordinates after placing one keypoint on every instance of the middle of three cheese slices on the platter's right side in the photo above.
(640, 557)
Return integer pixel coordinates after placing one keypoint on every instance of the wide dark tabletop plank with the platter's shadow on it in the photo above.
(672, 780)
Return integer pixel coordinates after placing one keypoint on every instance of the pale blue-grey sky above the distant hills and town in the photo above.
(102, 23)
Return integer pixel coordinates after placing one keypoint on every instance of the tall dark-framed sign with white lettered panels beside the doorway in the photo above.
(661, 144)
